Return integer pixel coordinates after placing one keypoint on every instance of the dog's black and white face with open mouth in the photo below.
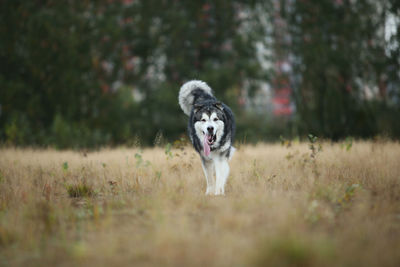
(209, 125)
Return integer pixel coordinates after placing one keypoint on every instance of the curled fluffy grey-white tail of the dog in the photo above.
(186, 96)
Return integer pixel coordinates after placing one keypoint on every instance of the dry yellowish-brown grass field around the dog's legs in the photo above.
(285, 205)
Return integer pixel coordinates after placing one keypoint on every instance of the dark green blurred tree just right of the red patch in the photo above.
(339, 55)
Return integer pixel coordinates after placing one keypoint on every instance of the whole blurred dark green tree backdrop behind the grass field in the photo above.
(84, 74)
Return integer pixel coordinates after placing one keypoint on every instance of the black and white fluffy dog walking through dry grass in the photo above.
(211, 129)
